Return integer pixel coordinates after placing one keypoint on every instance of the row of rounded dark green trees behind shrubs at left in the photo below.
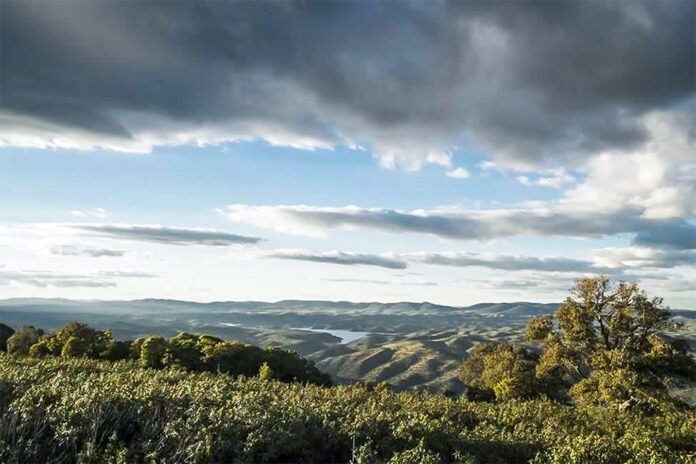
(185, 351)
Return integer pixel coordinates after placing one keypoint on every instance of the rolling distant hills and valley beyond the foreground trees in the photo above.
(408, 345)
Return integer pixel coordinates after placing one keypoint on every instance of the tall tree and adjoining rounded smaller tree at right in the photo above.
(608, 344)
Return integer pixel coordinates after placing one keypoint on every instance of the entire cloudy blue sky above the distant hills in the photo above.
(452, 152)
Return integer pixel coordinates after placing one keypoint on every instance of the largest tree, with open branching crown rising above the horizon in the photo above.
(607, 344)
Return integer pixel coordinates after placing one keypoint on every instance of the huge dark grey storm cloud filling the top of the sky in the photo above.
(526, 80)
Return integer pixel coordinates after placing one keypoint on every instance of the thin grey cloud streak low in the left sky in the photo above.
(167, 235)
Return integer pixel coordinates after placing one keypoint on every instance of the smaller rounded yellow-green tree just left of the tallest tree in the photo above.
(501, 370)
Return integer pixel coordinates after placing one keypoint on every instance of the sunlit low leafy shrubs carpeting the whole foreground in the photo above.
(80, 410)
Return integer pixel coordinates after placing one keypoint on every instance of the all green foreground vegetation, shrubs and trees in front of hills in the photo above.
(592, 385)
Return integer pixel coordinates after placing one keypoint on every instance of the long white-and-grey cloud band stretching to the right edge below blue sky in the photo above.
(544, 219)
